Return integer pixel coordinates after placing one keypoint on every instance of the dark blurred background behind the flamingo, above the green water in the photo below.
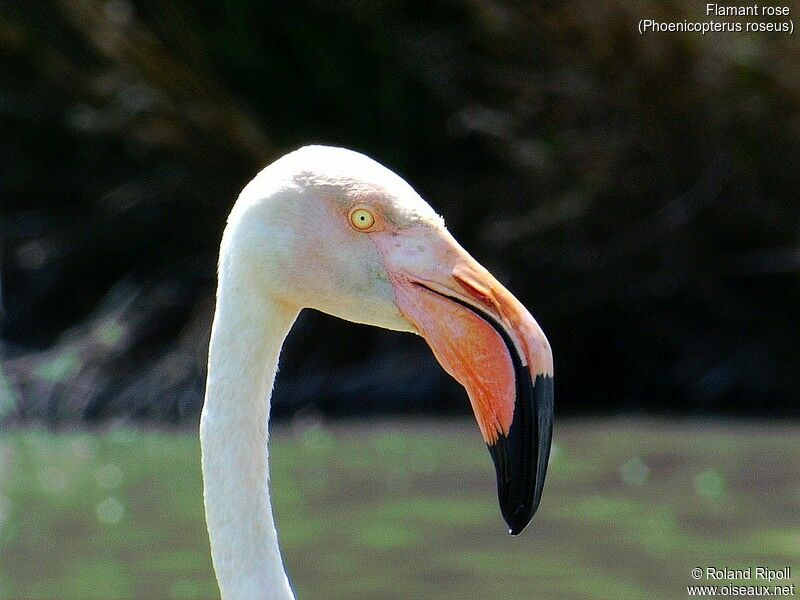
(640, 194)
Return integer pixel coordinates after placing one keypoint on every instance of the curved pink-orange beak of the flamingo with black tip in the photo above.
(486, 339)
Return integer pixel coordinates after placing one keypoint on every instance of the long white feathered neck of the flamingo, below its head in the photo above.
(246, 339)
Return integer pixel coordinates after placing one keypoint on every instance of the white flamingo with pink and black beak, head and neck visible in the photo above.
(331, 229)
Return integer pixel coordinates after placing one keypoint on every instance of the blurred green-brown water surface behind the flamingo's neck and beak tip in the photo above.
(406, 510)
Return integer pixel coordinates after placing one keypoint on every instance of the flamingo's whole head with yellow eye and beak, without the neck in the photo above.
(346, 236)
